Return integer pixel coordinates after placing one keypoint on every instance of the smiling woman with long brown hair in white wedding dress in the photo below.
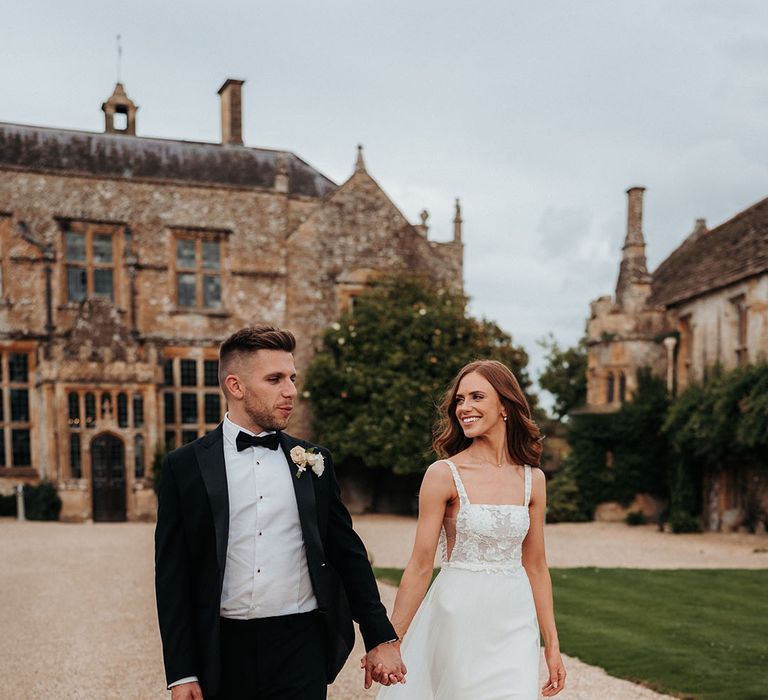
(475, 636)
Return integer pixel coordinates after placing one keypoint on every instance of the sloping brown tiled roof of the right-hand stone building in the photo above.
(706, 261)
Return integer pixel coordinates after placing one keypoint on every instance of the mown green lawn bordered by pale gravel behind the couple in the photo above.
(692, 633)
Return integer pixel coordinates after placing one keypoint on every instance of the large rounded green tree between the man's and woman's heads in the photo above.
(375, 384)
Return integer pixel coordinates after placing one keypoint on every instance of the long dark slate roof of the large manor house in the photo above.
(134, 157)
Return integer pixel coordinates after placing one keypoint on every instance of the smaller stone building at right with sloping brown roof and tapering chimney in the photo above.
(705, 305)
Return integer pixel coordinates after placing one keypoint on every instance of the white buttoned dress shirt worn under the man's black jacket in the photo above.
(266, 572)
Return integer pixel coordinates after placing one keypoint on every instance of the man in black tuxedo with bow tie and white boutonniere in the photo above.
(258, 572)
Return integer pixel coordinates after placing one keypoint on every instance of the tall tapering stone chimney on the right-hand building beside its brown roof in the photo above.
(634, 284)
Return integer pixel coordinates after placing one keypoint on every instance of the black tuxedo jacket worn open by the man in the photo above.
(191, 552)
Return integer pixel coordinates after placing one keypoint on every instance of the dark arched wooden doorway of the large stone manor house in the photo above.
(108, 478)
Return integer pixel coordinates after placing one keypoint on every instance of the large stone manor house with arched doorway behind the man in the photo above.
(125, 260)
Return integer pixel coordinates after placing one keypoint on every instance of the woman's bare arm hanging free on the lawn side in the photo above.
(535, 563)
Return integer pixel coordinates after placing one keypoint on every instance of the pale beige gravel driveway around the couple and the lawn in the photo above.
(78, 619)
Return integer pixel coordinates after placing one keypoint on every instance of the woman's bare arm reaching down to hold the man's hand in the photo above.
(437, 489)
